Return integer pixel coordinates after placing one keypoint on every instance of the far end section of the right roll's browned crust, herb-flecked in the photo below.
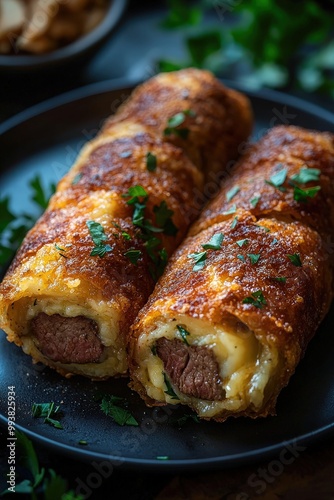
(283, 147)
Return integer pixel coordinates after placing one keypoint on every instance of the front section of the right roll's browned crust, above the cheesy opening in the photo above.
(291, 314)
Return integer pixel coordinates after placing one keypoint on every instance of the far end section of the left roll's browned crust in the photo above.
(221, 125)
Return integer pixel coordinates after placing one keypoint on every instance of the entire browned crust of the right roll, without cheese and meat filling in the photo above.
(261, 242)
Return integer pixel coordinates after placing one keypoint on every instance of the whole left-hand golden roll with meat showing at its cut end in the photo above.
(89, 264)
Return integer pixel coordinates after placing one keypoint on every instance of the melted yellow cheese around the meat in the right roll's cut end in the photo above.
(245, 365)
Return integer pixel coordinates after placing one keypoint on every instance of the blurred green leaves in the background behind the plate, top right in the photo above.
(280, 43)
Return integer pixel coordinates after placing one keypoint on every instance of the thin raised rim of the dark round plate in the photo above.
(123, 84)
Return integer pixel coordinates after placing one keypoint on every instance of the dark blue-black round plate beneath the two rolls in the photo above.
(46, 140)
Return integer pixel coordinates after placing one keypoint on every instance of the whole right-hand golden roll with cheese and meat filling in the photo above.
(246, 291)
